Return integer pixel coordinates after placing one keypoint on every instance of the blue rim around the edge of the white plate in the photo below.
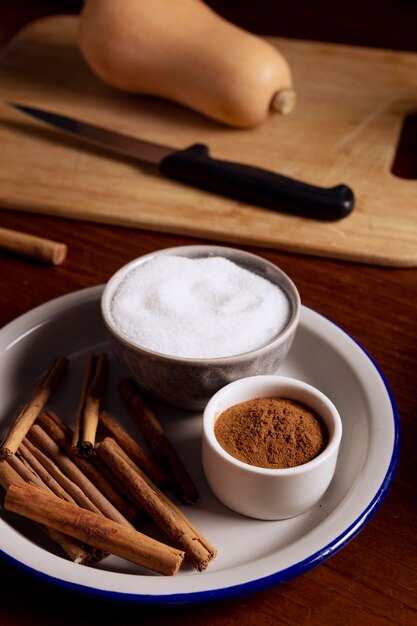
(262, 583)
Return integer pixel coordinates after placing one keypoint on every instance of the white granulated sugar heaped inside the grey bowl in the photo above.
(198, 308)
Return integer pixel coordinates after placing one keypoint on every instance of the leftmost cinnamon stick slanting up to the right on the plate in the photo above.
(32, 408)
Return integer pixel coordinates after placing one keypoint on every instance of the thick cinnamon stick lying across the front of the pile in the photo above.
(105, 534)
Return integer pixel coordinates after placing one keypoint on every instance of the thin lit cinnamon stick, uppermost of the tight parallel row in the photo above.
(40, 437)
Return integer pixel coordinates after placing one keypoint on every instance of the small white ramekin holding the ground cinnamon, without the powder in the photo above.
(262, 493)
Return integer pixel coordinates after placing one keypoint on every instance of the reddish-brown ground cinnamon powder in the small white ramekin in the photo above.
(271, 432)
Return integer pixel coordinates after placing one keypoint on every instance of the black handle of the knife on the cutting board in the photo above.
(254, 185)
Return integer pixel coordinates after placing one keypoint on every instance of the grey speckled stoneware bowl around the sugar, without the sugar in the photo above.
(189, 383)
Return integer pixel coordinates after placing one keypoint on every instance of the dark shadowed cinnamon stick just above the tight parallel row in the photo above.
(92, 467)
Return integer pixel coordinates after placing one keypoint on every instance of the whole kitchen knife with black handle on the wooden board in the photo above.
(195, 167)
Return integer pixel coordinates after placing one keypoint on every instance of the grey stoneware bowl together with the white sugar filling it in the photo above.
(186, 321)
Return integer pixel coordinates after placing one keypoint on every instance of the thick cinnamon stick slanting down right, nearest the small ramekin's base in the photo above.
(161, 509)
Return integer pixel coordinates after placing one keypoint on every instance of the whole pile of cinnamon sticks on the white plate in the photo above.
(90, 488)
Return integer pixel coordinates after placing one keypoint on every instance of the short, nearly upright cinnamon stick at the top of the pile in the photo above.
(89, 405)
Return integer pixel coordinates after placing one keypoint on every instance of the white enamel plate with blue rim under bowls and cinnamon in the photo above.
(253, 555)
